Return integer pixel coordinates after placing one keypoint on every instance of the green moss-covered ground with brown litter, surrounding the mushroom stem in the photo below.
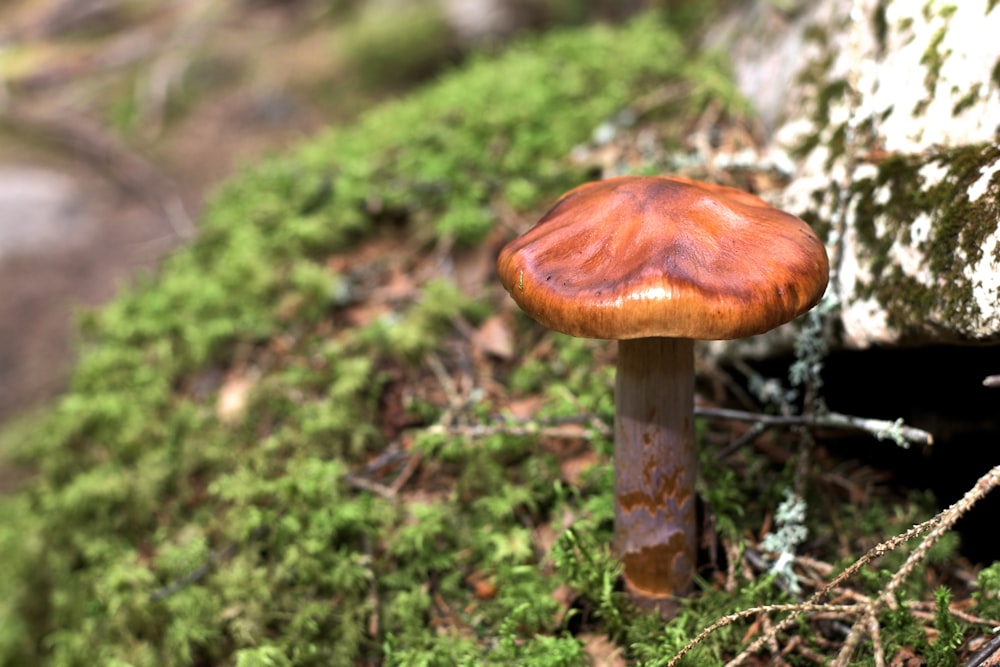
(321, 435)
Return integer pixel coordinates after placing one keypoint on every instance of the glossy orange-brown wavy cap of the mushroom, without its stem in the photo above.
(642, 256)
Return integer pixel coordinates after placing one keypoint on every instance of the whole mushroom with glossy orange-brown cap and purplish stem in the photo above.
(656, 262)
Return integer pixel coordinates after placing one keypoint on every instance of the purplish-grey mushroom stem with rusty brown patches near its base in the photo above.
(655, 469)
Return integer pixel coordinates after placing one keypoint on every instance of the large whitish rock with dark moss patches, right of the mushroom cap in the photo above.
(891, 112)
